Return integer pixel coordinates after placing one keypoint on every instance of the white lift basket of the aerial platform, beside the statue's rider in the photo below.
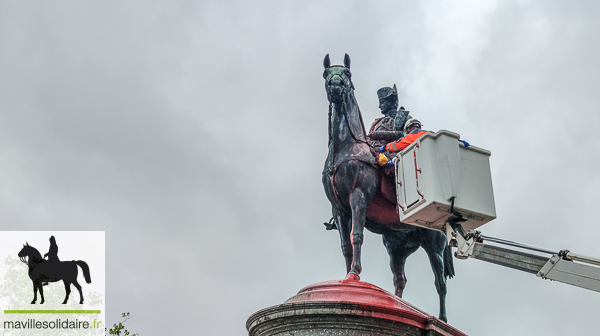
(436, 168)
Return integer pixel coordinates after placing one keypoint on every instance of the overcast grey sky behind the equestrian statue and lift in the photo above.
(194, 133)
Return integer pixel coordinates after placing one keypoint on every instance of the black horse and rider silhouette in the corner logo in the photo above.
(42, 271)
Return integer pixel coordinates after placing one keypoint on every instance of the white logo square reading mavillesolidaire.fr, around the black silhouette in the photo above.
(16, 287)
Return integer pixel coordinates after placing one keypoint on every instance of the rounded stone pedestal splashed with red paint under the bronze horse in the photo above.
(345, 307)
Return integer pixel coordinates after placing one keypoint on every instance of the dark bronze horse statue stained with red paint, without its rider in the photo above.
(351, 178)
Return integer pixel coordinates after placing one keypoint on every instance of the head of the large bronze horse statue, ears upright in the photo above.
(338, 79)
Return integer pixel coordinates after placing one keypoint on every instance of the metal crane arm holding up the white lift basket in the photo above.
(563, 266)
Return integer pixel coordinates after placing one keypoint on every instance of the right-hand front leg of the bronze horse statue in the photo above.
(358, 205)
